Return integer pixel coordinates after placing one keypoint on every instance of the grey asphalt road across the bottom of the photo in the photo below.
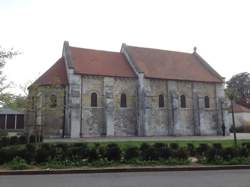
(229, 178)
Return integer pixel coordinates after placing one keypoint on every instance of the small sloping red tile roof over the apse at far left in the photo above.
(55, 74)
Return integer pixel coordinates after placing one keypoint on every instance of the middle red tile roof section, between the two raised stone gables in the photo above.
(96, 62)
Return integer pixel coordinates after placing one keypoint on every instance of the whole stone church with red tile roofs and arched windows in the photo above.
(135, 92)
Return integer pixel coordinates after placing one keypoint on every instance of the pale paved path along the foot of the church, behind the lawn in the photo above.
(240, 136)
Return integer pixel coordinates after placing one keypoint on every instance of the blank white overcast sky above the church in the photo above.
(219, 28)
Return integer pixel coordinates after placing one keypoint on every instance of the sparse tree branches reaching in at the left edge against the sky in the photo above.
(4, 55)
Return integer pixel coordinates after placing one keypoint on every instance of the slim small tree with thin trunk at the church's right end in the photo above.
(233, 96)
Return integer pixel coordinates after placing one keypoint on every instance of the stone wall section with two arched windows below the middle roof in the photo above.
(108, 118)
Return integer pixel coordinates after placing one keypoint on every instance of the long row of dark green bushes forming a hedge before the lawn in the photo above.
(112, 152)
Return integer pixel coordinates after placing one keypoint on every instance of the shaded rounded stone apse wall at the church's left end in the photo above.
(42, 118)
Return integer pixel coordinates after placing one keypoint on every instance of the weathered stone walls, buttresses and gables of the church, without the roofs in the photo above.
(143, 115)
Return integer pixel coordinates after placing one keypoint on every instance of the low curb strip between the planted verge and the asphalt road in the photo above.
(122, 170)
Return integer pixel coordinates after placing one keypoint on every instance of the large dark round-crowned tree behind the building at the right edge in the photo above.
(241, 83)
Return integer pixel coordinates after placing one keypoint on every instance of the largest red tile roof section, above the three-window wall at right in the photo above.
(162, 64)
